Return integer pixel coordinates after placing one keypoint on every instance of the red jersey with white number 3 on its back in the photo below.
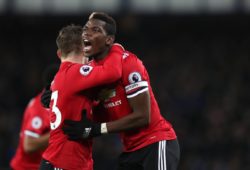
(70, 95)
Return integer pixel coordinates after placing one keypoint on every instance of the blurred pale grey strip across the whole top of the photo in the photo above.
(78, 7)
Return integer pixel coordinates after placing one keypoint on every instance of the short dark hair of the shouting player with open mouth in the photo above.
(110, 26)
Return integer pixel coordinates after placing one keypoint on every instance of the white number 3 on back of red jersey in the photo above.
(56, 111)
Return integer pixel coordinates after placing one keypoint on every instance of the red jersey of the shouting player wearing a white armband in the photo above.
(135, 80)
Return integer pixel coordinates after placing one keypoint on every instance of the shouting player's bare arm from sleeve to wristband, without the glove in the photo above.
(140, 117)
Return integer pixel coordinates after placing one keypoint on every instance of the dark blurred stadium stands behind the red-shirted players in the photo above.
(196, 52)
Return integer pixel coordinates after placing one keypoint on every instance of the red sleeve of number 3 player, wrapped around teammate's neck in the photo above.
(87, 76)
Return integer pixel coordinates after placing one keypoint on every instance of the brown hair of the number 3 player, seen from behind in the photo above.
(70, 39)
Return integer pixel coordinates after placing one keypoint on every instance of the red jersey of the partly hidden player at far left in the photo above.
(35, 123)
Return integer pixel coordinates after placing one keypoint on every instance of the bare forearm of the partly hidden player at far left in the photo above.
(34, 144)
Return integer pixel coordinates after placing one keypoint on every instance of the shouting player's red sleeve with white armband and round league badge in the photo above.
(135, 76)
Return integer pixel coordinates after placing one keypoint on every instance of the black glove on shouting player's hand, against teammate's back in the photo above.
(82, 129)
